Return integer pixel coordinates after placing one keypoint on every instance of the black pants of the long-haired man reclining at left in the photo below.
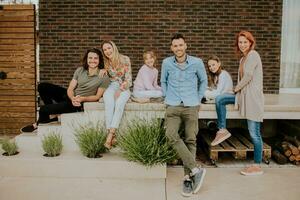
(56, 101)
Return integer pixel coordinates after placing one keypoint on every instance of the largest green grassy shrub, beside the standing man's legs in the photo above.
(146, 143)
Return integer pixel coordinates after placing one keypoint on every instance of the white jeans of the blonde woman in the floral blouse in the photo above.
(114, 108)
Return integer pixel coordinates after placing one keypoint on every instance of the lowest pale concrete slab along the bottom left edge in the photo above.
(39, 188)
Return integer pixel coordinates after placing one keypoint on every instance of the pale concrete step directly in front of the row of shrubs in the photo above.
(74, 165)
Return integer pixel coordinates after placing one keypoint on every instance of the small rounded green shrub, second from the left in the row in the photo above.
(52, 144)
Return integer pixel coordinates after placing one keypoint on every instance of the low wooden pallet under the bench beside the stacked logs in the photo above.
(237, 144)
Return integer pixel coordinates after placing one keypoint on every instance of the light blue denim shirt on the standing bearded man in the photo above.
(185, 84)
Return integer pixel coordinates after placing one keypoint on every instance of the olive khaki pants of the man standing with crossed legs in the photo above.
(186, 146)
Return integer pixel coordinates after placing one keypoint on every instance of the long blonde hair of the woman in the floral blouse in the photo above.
(116, 56)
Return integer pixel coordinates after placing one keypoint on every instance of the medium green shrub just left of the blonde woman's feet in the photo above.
(90, 139)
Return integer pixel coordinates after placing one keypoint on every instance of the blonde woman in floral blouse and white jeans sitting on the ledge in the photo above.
(118, 68)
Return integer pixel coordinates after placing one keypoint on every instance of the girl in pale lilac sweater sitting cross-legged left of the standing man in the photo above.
(145, 84)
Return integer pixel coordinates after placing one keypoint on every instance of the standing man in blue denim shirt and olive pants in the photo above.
(184, 80)
